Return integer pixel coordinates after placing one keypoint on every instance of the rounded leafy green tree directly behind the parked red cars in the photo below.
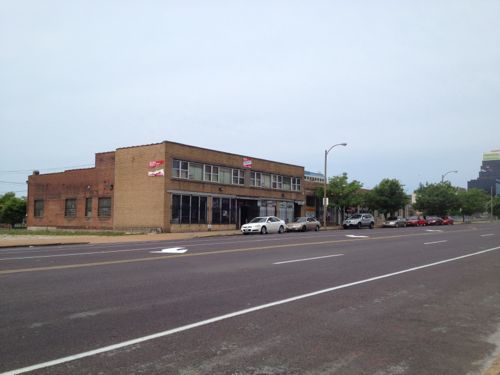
(436, 199)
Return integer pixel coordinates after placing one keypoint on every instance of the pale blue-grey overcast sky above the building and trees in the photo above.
(413, 87)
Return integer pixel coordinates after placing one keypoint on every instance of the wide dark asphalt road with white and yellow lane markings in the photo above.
(383, 301)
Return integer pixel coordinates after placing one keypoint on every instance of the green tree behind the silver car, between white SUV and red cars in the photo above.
(387, 197)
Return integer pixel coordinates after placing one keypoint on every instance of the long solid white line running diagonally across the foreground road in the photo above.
(169, 332)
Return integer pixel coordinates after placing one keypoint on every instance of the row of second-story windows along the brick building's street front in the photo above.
(224, 175)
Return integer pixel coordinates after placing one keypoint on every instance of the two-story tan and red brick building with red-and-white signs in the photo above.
(168, 187)
